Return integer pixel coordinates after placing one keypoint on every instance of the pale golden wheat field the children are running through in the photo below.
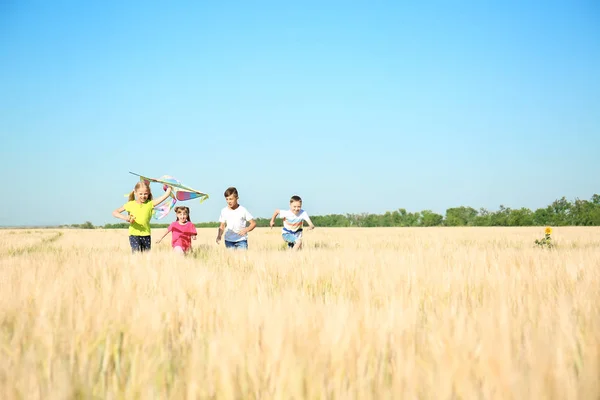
(428, 313)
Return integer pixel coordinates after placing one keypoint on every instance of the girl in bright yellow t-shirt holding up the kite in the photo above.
(139, 211)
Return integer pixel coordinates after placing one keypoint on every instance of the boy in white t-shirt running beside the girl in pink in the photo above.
(234, 222)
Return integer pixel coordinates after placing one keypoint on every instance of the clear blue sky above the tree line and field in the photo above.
(355, 106)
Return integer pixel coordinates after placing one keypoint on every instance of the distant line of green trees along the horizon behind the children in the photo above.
(560, 213)
